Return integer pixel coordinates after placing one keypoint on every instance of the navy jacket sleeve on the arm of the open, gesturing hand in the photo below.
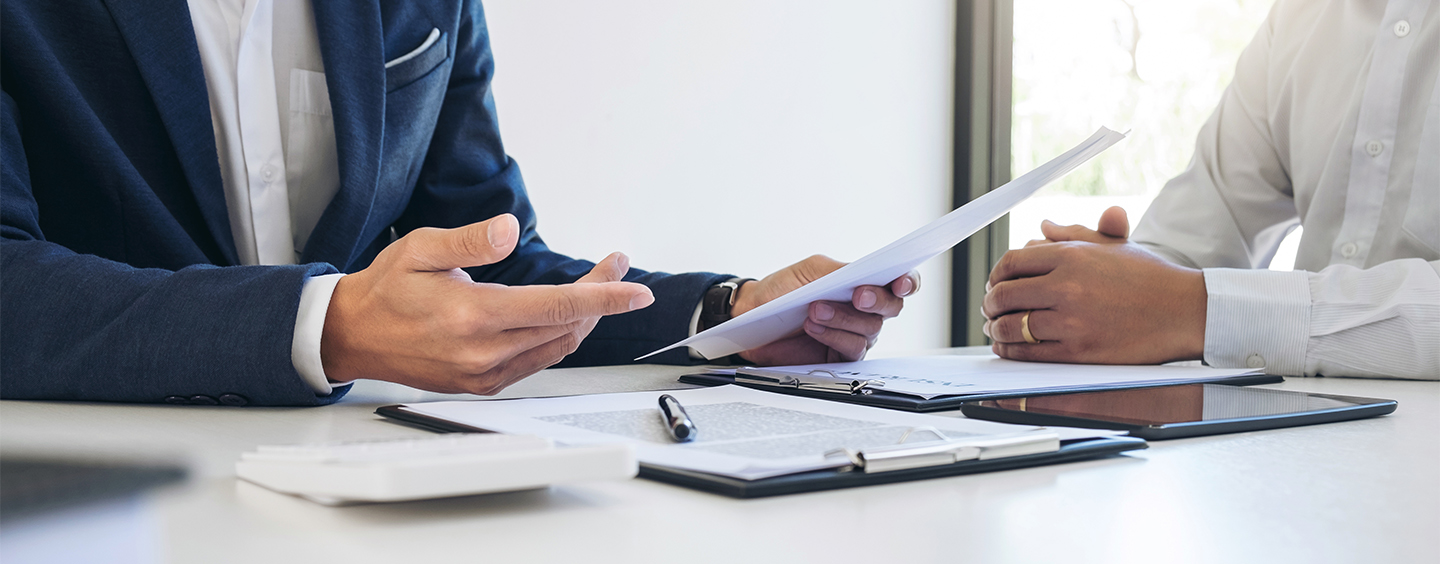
(80, 327)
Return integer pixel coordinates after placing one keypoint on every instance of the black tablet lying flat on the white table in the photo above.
(1173, 412)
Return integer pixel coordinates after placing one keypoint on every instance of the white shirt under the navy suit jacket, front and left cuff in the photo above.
(276, 140)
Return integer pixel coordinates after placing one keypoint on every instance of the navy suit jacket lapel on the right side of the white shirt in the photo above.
(352, 48)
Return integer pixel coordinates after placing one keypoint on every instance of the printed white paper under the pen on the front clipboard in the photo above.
(742, 434)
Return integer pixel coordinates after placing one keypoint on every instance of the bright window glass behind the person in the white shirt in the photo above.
(1153, 67)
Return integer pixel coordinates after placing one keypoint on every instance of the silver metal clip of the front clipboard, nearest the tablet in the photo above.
(904, 457)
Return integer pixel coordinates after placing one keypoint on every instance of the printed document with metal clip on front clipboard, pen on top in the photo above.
(751, 435)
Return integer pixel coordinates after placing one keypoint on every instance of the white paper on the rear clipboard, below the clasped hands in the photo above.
(978, 375)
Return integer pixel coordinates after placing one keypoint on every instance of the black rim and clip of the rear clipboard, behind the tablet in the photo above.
(873, 394)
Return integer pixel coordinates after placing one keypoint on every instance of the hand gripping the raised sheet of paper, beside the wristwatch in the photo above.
(834, 332)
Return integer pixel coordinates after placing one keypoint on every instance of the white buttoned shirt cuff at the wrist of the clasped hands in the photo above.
(1258, 320)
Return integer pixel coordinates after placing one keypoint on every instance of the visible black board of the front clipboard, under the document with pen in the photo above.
(1071, 451)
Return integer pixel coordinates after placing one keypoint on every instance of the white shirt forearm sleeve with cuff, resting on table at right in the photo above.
(1383, 322)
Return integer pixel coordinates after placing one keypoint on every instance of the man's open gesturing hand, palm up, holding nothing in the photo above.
(415, 319)
